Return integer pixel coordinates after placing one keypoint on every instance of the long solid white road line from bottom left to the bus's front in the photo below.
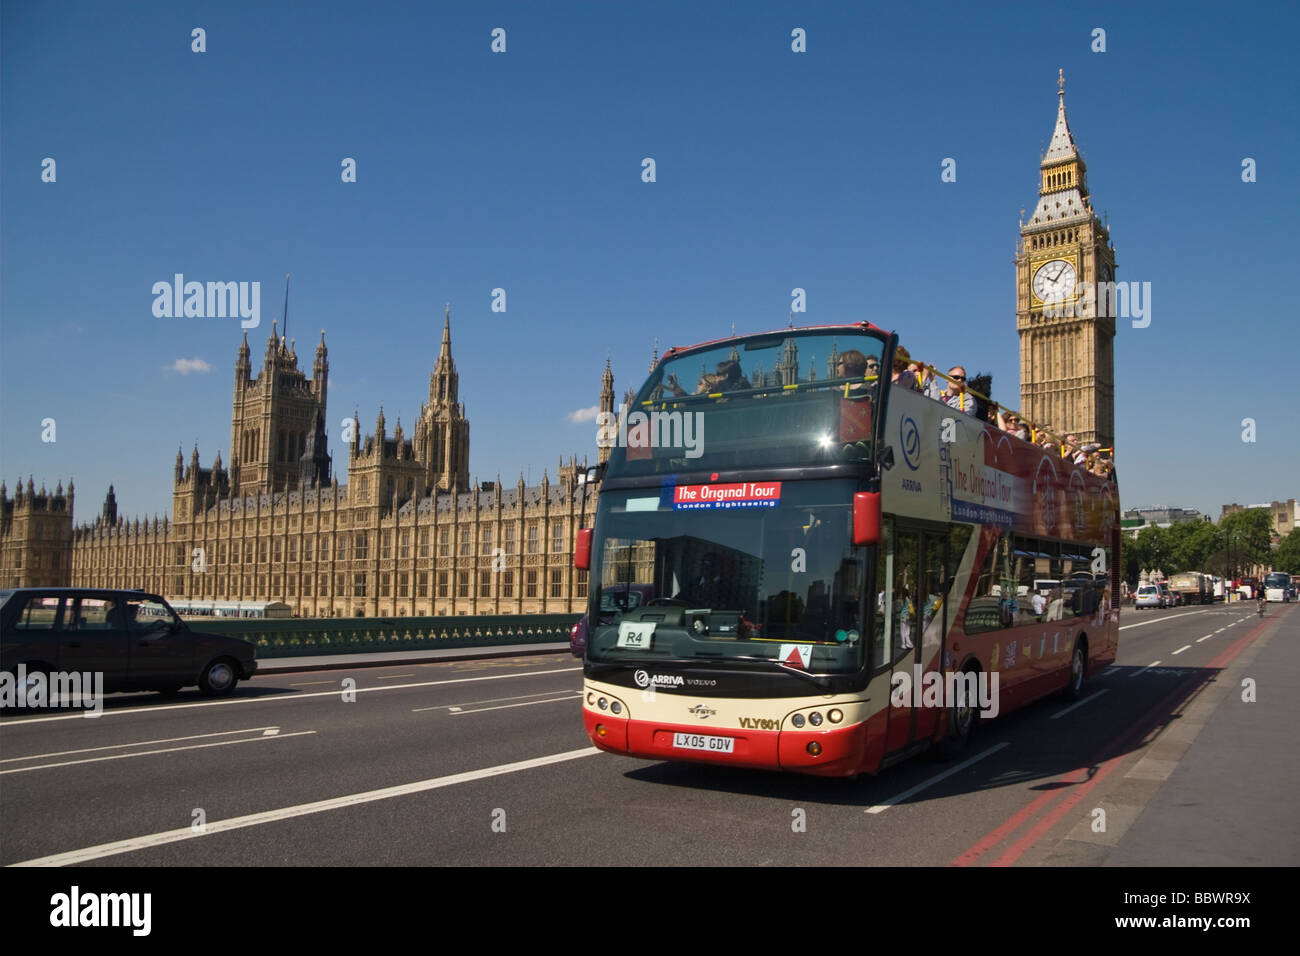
(105, 850)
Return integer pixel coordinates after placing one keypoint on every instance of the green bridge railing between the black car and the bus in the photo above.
(300, 637)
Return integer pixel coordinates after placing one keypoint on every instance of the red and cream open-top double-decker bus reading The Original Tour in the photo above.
(831, 573)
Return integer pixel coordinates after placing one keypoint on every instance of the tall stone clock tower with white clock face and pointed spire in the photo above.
(1065, 267)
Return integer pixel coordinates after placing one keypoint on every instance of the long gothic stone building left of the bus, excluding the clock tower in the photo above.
(408, 535)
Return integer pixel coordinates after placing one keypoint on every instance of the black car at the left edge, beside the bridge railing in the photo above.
(135, 639)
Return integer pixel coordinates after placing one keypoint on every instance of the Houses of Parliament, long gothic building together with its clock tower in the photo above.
(410, 535)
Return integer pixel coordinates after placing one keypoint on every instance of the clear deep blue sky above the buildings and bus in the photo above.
(523, 171)
